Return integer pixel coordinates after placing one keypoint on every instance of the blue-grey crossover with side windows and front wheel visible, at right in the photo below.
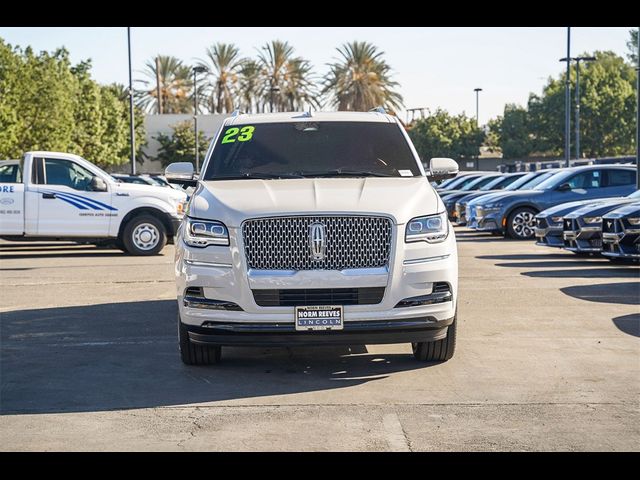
(513, 213)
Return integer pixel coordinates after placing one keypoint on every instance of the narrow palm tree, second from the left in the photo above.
(223, 63)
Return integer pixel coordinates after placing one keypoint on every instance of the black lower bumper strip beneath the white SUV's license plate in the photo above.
(423, 329)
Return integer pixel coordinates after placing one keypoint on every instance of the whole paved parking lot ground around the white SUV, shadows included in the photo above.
(548, 358)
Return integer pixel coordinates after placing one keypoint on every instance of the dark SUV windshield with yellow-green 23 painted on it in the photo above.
(308, 149)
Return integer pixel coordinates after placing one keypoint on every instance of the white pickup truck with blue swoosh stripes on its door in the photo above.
(63, 196)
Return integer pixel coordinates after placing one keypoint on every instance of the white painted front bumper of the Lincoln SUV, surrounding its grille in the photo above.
(223, 275)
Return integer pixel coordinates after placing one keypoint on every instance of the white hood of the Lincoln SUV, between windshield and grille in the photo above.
(233, 201)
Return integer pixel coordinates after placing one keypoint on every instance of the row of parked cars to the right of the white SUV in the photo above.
(587, 210)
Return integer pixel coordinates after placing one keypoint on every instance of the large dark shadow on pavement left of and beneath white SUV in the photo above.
(125, 355)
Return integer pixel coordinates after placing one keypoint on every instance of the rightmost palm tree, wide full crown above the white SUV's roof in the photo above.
(360, 80)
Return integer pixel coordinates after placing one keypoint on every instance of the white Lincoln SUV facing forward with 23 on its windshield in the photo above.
(315, 229)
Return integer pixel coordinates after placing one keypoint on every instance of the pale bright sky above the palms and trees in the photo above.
(435, 66)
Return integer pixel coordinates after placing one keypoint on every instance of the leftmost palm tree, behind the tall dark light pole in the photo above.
(175, 86)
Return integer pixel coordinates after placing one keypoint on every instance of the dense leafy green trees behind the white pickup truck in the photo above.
(48, 104)
